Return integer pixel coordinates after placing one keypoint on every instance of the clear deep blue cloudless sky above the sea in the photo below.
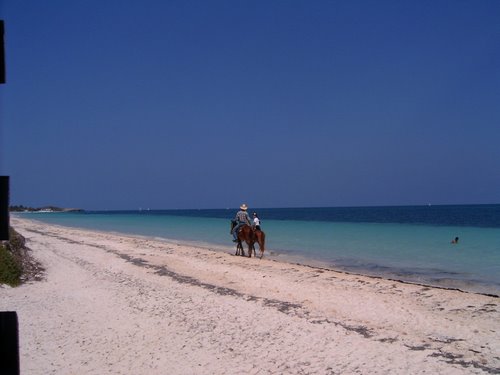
(208, 104)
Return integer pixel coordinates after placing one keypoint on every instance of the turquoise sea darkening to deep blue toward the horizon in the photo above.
(405, 243)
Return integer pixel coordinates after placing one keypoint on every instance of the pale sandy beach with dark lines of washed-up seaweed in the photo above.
(118, 304)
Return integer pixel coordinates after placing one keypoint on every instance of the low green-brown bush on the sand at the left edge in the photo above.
(16, 263)
